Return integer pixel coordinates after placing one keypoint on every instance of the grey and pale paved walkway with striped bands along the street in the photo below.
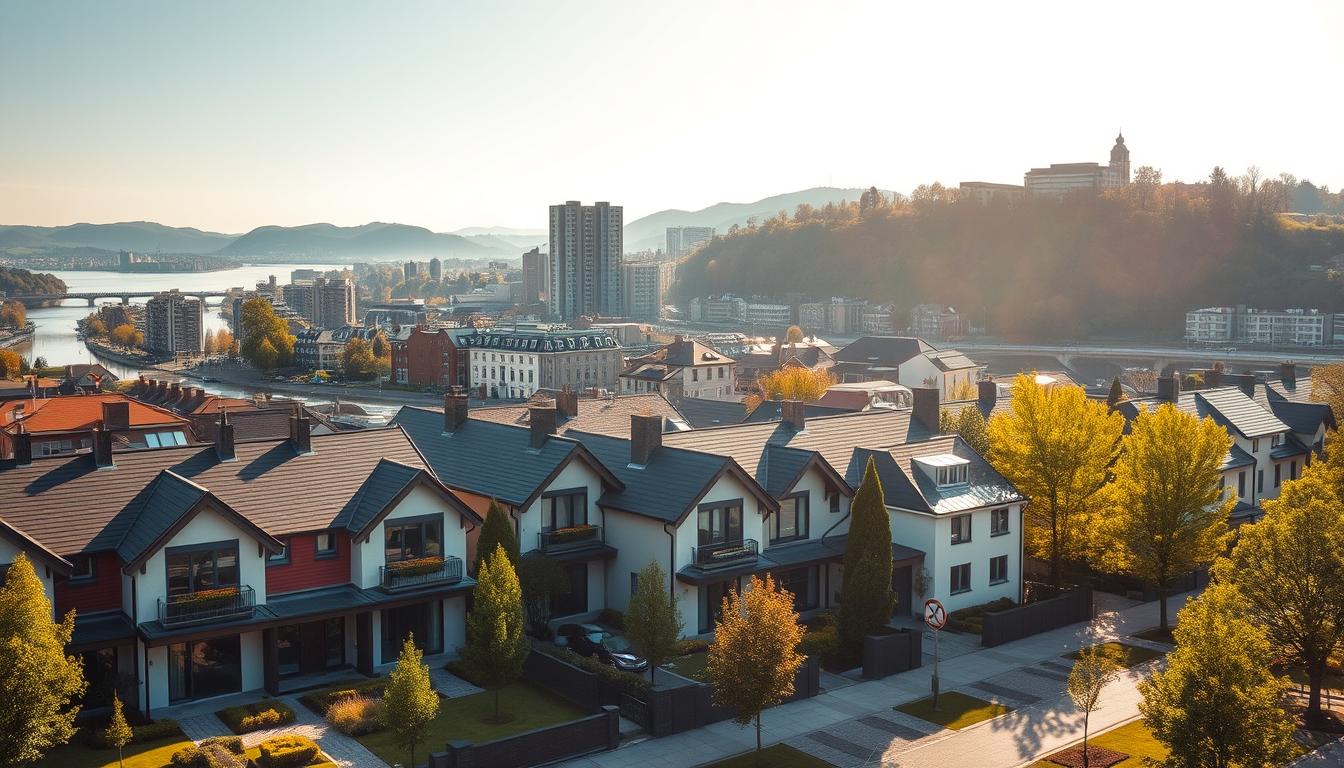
(859, 726)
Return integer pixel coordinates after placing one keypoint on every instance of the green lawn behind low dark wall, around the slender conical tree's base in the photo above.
(464, 720)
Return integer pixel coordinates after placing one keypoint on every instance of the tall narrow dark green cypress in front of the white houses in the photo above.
(866, 602)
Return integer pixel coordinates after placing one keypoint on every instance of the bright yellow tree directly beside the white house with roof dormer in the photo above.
(1056, 446)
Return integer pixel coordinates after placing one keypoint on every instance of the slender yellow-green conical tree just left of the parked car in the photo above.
(497, 646)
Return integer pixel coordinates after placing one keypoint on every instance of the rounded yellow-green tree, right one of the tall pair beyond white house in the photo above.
(1170, 512)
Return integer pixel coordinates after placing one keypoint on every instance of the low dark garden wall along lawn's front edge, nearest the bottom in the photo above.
(592, 734)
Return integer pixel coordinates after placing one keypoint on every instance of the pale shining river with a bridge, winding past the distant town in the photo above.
(54, 336)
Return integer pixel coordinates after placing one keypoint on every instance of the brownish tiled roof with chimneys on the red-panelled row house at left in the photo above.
(72, 506)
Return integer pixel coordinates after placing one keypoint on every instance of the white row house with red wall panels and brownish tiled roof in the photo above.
(200, 571)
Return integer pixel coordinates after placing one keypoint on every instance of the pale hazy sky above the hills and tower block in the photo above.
(447, 115)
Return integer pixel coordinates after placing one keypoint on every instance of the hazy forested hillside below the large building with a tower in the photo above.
(1128, 263)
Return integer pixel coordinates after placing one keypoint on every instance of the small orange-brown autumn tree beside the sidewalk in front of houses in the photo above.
(755, 656)
